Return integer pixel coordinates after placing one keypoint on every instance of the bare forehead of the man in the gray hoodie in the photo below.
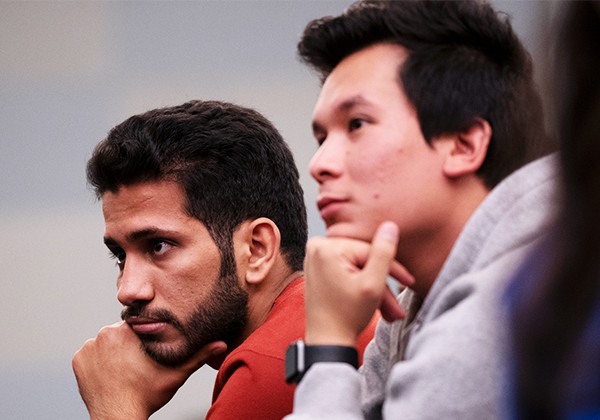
(370, 75)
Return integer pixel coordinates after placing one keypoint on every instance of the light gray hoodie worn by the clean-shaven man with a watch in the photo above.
(445, 361)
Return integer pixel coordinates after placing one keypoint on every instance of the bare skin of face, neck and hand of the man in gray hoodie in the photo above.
(386, 196)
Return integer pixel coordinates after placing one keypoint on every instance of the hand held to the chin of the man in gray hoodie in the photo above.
(364, 268)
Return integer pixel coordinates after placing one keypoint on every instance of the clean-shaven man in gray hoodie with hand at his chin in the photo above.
(431, 138)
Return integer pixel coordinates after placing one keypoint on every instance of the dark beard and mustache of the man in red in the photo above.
(221, 316)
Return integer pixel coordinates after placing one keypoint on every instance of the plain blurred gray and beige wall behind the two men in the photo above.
(70, 71)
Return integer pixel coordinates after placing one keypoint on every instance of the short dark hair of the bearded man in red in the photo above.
(231, 162)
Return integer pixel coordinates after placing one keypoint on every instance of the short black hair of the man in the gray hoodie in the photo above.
(465, 62)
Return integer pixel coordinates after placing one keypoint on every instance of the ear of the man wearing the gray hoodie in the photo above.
(468, 149)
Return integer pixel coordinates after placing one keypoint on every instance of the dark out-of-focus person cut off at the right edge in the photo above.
(555, 297)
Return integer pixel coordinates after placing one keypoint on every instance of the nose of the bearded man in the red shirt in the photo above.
(134, 284)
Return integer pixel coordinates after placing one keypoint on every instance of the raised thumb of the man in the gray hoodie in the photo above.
(383, 250)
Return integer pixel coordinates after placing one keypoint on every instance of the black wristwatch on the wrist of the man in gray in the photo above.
(299, 357)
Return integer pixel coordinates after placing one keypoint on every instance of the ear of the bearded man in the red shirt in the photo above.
(264, 241)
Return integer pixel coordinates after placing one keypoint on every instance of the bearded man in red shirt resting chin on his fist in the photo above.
(204, 215)
